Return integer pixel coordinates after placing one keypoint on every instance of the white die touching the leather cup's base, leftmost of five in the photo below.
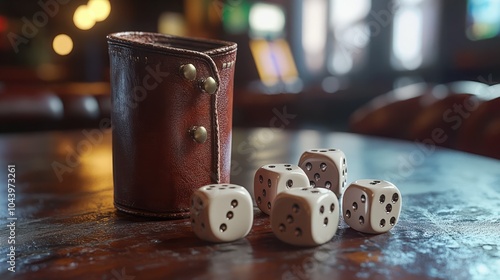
(221, 212)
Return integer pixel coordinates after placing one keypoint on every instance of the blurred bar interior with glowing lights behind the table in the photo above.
(372, 67)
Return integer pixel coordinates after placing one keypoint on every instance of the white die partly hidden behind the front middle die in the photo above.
(272, 179)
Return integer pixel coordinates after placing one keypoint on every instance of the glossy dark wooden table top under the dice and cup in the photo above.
(67, 227)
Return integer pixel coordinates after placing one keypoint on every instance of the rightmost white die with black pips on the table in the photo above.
(371, 206)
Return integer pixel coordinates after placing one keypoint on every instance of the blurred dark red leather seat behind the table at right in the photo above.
(462, 115)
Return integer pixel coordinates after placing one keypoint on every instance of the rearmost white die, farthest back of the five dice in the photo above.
(325, 168)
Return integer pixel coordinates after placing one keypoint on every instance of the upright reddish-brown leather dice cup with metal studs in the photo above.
(172, 118)
